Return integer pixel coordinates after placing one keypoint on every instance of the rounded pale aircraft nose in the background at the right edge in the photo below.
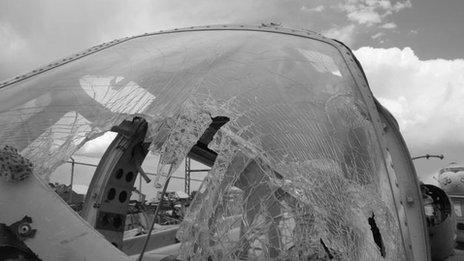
(451, 179)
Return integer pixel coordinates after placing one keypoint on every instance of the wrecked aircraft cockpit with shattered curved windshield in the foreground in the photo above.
(285, 116)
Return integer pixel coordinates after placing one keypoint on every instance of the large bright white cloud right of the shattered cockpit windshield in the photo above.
(425, 96)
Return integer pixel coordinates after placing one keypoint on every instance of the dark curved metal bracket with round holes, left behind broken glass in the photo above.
(107, 203)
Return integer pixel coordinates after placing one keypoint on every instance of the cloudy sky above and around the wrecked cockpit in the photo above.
(411, 50)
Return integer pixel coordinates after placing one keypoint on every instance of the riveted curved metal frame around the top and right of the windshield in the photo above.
(377, 115)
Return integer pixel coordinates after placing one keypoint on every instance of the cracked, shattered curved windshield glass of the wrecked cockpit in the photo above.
(299, 173)
